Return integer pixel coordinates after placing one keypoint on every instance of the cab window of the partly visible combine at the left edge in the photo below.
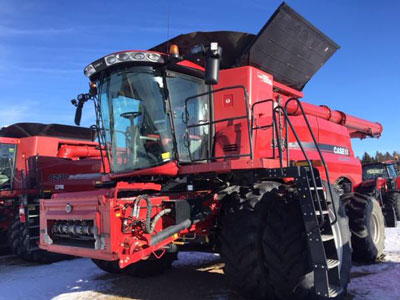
(7, 160)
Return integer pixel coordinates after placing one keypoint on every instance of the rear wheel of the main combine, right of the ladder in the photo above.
(367, 226)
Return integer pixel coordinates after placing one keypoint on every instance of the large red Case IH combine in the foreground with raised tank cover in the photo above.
(222, 160)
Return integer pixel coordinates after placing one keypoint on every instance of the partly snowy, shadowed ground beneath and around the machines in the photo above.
(194, 276)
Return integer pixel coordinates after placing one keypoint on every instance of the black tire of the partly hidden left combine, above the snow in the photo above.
(18, 236)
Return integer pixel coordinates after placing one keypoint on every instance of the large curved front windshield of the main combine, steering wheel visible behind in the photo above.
(137, 128)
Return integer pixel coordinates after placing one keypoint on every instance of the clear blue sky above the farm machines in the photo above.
(44, 46)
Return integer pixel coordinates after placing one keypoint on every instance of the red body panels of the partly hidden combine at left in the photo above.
(45, 165)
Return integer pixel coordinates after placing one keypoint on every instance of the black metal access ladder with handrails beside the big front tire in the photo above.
(314, 204)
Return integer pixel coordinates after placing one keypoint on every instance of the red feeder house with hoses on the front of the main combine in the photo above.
(107, 214)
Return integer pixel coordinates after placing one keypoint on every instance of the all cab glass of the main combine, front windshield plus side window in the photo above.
(134, 109)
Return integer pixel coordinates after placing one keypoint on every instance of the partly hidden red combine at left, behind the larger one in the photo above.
(37, 161)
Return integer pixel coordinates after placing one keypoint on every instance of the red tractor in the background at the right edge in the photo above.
(382, 179)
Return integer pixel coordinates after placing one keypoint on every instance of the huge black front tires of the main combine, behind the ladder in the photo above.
(265, 249)
